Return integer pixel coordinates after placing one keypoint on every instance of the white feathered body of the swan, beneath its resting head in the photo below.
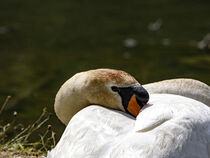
(171, 126)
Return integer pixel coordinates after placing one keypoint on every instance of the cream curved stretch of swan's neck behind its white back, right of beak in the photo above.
(185, 87)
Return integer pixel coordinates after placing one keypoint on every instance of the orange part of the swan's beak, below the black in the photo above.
(133, 107)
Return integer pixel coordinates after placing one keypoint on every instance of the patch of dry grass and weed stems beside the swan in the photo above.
(15, 138)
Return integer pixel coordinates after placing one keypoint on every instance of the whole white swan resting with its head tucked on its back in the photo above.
(168, 125)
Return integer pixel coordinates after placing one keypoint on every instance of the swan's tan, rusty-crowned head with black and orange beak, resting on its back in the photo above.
(114, 89)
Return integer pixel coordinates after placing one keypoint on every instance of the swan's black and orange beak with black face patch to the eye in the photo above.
(134, 97)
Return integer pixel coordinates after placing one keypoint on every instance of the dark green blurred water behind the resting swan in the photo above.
(43, 43)
